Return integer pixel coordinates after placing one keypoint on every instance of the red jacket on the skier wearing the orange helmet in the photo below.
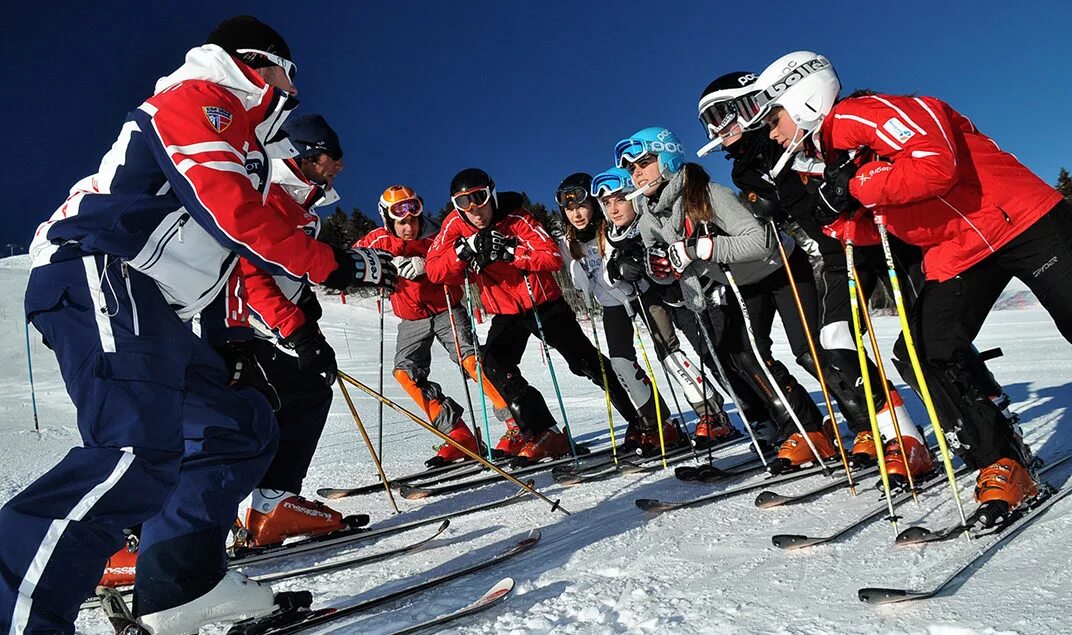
(413, 300)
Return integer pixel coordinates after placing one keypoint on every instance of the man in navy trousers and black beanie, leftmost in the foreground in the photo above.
(136, 252)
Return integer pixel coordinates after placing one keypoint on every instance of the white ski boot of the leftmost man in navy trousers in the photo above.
(234, 598)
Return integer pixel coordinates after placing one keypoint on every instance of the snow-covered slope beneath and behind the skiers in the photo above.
(607, 569)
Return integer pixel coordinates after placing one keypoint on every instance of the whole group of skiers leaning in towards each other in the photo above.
(176, 289)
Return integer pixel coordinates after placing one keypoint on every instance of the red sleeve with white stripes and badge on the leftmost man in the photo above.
(205, 166)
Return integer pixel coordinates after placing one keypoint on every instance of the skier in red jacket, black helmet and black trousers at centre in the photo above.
(495, 242)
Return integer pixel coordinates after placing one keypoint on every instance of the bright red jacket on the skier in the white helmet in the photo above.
(941, 184)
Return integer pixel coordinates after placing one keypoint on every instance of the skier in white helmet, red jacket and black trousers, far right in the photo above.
(979, 215)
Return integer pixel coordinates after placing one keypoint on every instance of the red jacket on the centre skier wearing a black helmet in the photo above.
(502, 285)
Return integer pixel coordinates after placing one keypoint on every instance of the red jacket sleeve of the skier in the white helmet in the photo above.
(916, 136)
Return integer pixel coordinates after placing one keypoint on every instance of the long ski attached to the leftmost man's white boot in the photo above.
(259, 627)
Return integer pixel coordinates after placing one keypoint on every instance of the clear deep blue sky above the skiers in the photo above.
(530, 92)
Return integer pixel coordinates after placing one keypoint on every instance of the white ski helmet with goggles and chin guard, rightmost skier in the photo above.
(805, 84)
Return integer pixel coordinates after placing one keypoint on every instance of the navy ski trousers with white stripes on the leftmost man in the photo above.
(166, 444)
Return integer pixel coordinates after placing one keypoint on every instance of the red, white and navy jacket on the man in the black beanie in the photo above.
(184, 191)
